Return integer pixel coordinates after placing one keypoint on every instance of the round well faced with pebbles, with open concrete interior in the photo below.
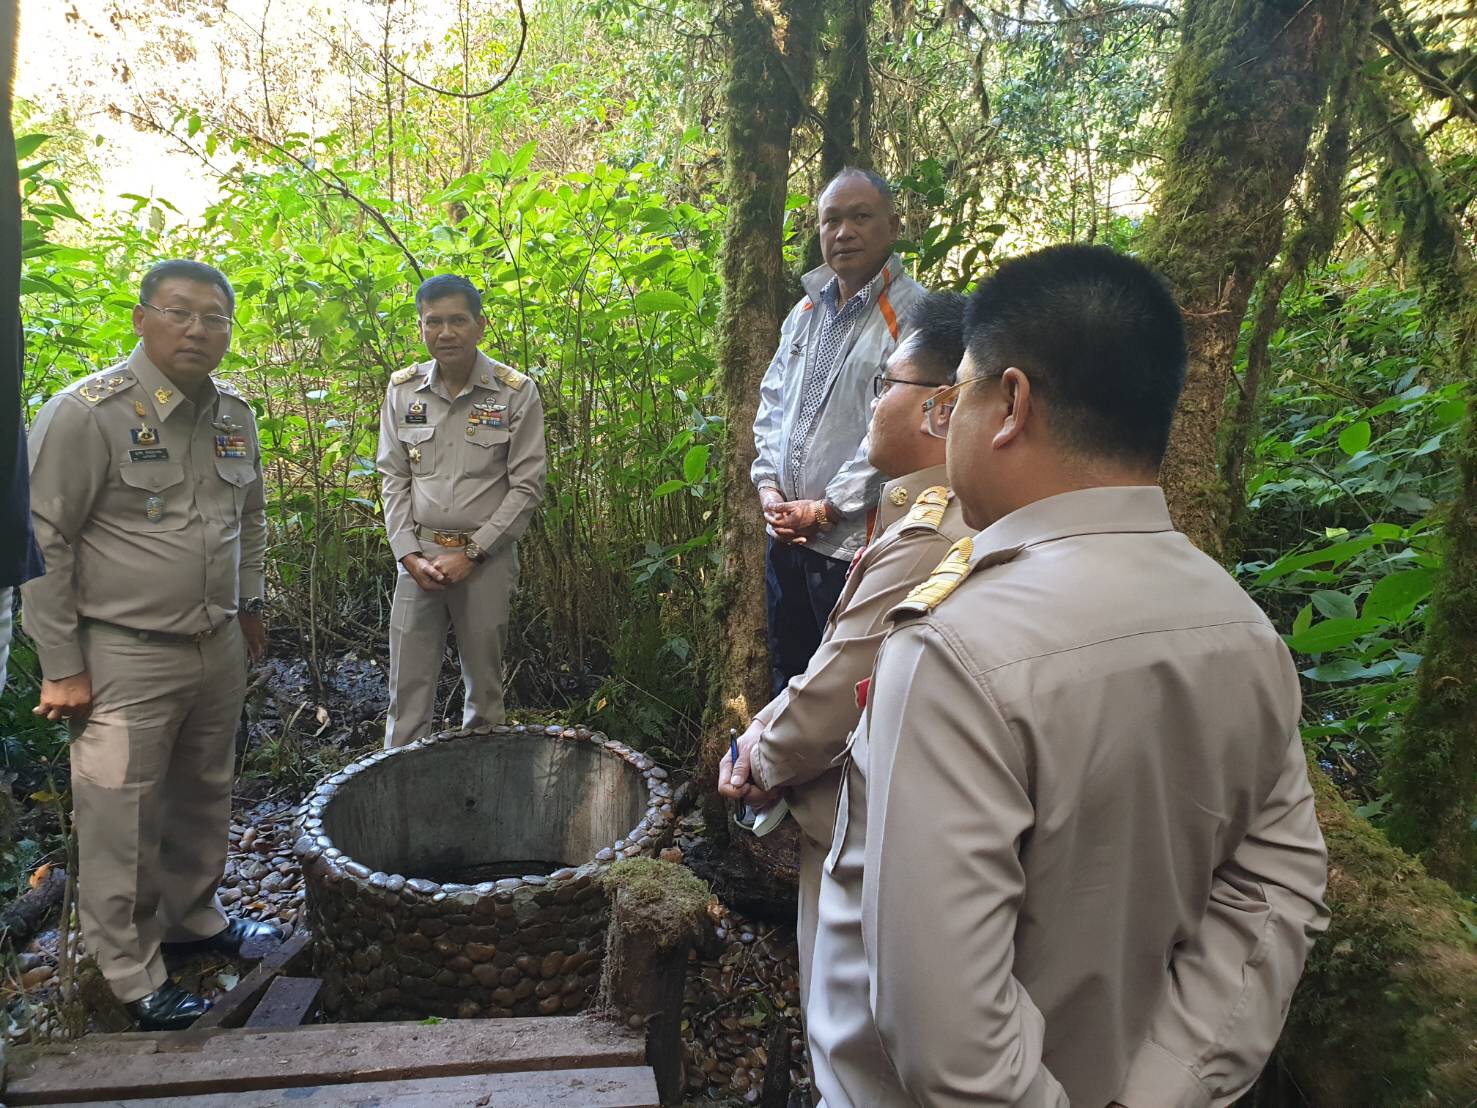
(411, 861)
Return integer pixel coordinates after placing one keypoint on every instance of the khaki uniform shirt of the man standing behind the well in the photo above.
(473, 465)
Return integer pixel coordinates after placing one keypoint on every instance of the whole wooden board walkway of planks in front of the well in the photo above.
(490, 1063)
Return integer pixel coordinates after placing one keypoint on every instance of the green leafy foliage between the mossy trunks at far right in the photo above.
(1343, 540)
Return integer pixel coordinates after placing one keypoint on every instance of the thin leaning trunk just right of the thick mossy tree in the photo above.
(1323, 215)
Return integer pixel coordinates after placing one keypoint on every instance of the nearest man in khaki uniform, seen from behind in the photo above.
(1076, 859)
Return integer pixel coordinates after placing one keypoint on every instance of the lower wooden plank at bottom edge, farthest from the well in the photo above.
(606, 1088)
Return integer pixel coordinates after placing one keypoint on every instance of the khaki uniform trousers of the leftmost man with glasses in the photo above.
(151, 788)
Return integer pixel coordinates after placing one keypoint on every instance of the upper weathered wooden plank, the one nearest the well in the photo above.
(196, 1063)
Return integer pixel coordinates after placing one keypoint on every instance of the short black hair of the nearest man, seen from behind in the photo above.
(1101, 339)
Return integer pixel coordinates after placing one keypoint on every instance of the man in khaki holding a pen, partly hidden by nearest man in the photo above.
(795, 741)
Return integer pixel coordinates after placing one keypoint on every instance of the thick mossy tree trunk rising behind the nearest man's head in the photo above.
(1244, 94)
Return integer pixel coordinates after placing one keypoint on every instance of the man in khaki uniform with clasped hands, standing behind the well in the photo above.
(463, 463)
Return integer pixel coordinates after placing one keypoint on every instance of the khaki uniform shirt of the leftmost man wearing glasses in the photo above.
(148, 507)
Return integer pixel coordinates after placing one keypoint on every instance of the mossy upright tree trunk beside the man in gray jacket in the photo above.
(770, 73)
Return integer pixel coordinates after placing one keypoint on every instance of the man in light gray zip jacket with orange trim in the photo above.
(816, 485)
